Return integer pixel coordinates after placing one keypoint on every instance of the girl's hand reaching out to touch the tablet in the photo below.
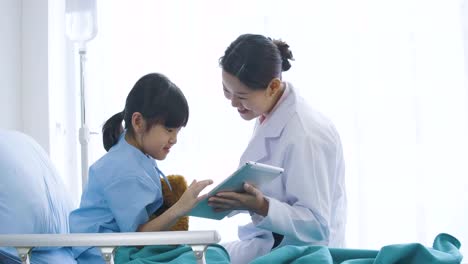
(190, 198)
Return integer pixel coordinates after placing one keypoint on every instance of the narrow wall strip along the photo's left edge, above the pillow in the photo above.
(10, 64)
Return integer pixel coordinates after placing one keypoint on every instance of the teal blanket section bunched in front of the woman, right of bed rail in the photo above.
(444, 251)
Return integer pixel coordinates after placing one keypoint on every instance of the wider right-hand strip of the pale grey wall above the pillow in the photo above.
(34, 97)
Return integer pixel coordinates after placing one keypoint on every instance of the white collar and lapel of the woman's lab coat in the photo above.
(258, 147)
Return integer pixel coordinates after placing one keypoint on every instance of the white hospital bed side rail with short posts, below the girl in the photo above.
(107, 242)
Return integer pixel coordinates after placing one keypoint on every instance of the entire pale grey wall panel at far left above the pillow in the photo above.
(24, 68)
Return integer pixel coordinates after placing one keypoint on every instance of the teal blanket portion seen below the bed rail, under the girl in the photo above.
(169, 255)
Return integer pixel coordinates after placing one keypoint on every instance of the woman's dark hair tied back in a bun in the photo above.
(255, 60)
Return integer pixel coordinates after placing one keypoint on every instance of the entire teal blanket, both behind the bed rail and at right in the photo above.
(444, 251)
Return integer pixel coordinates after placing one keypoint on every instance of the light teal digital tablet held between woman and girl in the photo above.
(254, 173)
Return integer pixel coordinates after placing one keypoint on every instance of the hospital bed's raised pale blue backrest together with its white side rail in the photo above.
(34, 208)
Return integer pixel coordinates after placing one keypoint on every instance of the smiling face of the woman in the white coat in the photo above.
(249, 103)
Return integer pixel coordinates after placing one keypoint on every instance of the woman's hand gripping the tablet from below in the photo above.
(252, 200)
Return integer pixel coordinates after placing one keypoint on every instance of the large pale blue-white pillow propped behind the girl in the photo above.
(33, 198)
